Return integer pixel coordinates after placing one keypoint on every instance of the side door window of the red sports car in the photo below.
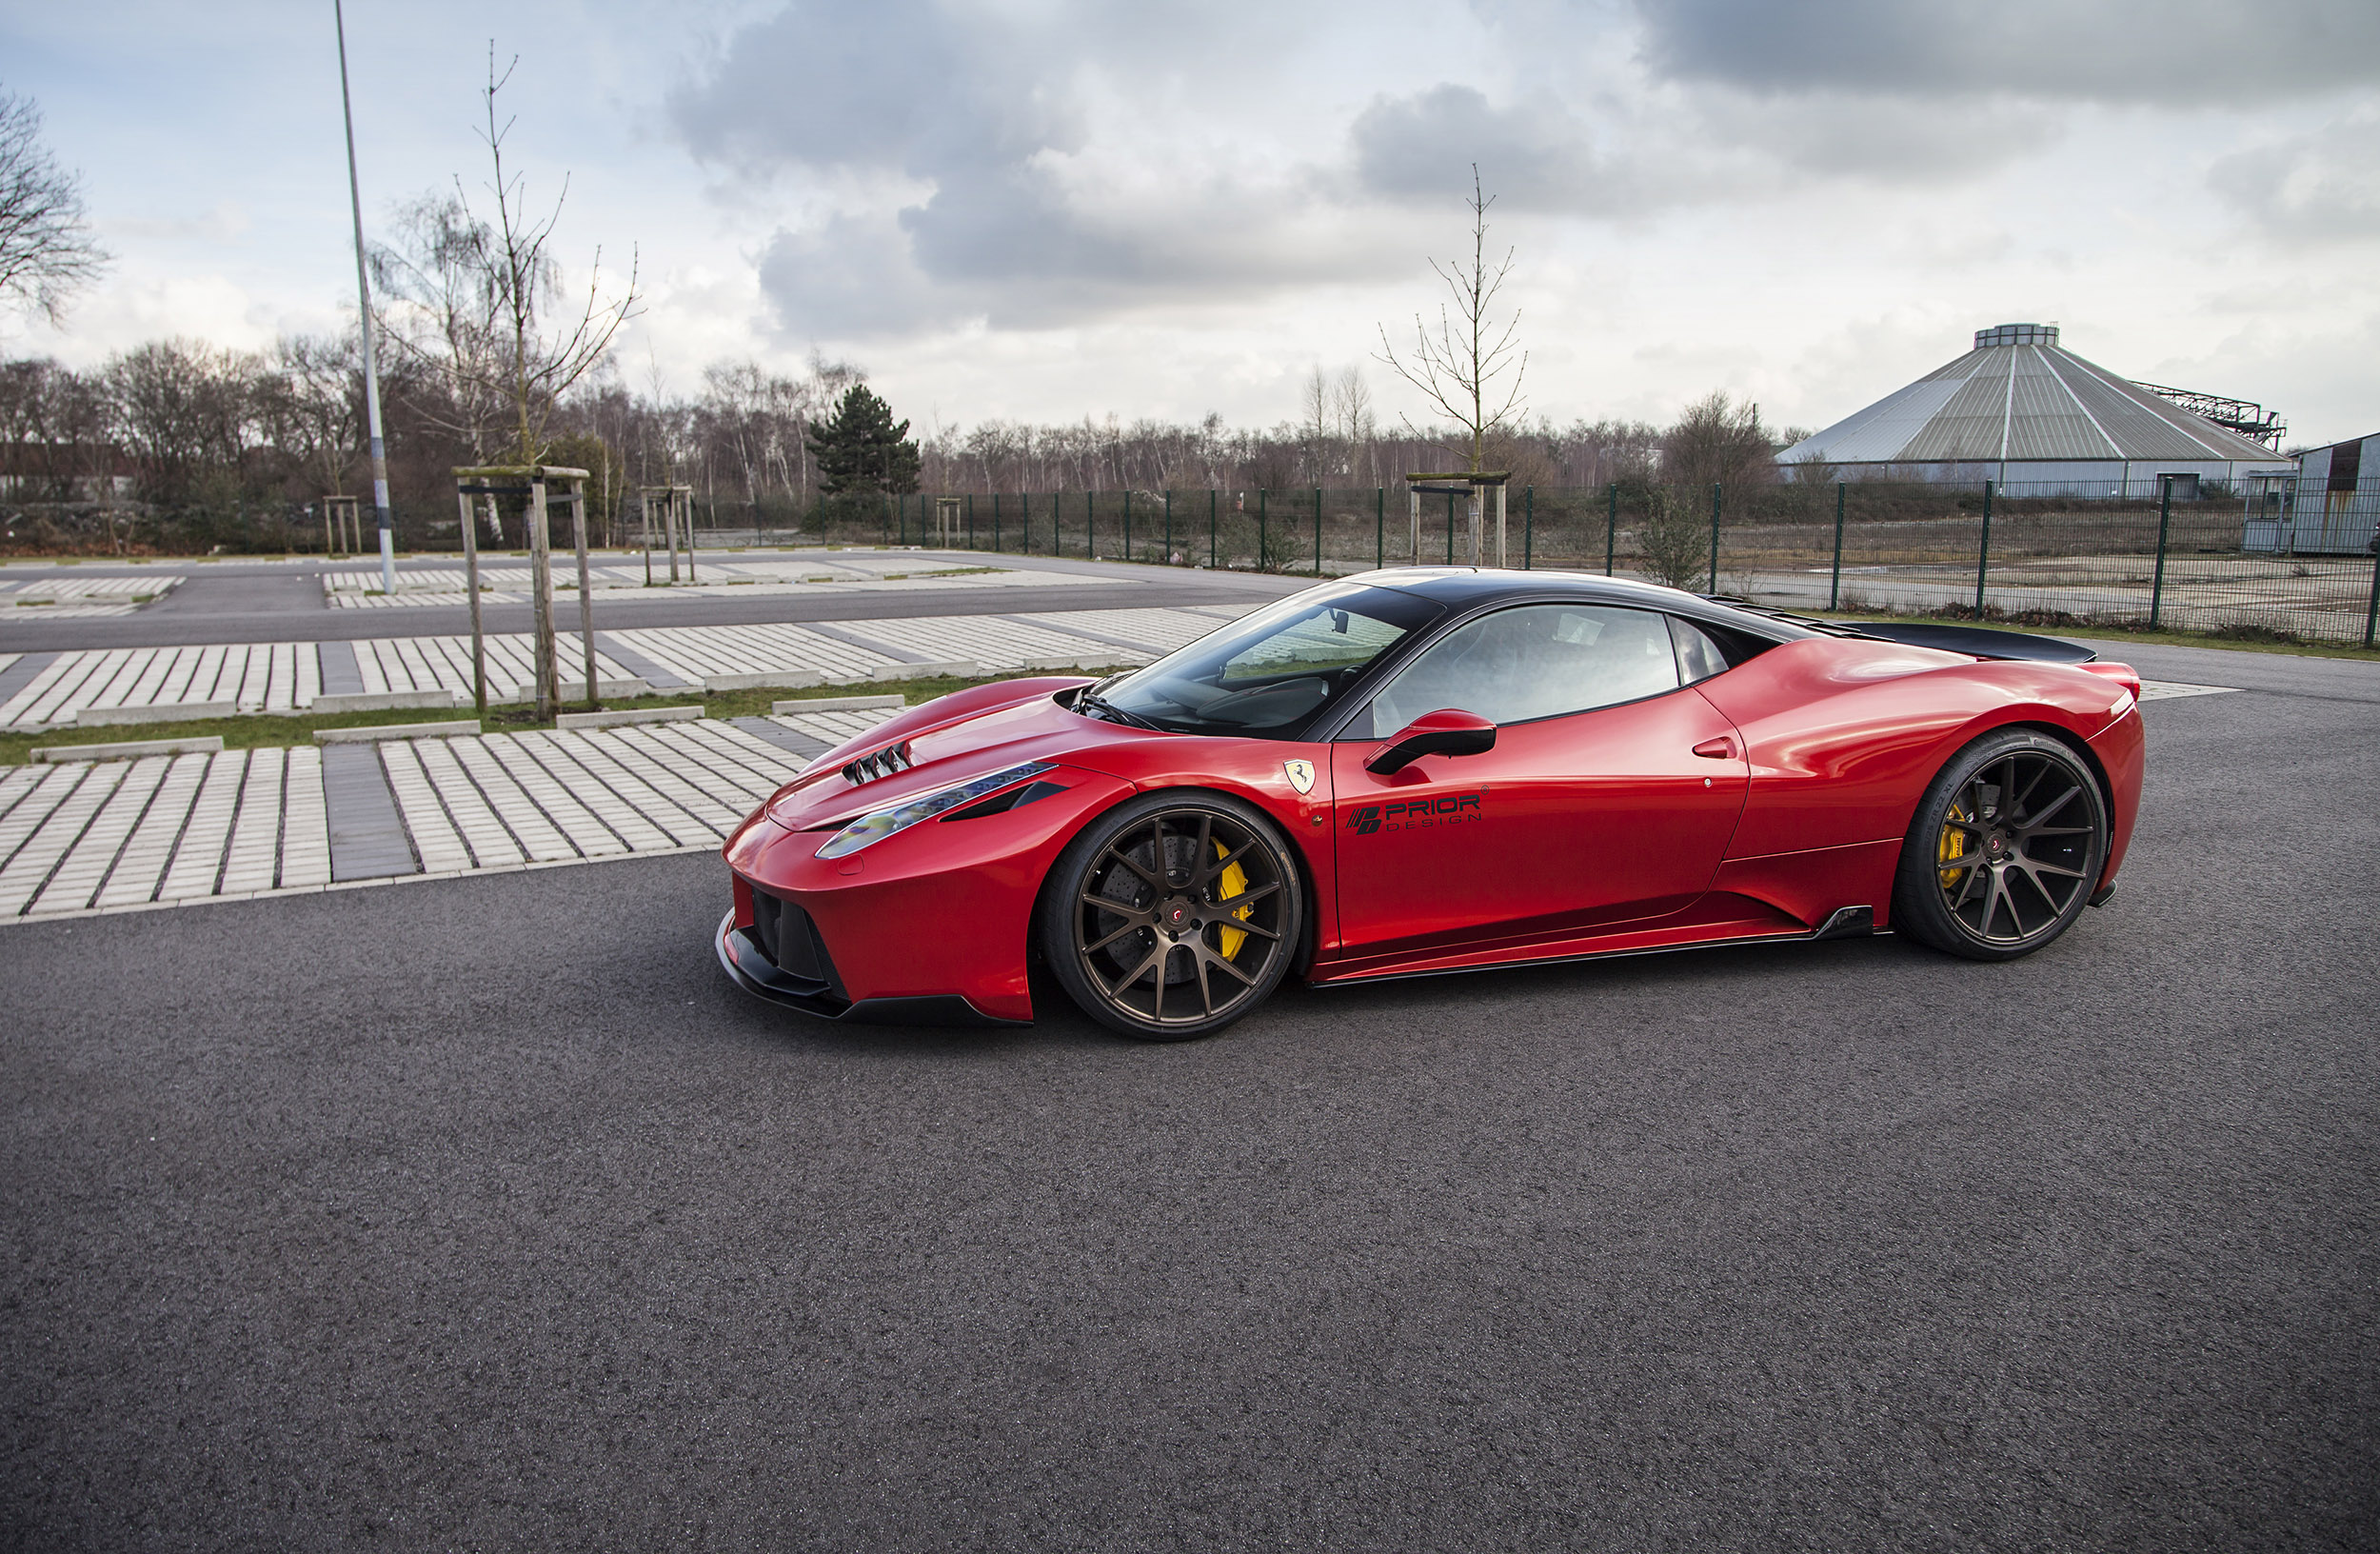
(1534, 663)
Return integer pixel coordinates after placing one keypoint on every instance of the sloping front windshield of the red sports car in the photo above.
(1274, 672)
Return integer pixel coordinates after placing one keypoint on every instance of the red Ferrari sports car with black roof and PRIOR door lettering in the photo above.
(1439, 770)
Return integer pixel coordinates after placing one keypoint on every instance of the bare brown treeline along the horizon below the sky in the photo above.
(184, 446)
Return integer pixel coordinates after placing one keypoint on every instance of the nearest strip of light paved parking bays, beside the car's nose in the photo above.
(158, 832)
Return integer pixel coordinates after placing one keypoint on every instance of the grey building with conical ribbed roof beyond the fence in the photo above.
(2029, 415)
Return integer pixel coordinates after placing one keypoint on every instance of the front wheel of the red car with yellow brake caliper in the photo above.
(1177, 951)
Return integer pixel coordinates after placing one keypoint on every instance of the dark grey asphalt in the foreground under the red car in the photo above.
(487, 1215)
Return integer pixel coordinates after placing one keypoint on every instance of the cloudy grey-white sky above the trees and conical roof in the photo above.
(1046, 208)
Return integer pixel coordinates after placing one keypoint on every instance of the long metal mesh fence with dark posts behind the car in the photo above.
(1984, 551)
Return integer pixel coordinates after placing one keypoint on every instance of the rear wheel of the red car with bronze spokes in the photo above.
(2005, 851)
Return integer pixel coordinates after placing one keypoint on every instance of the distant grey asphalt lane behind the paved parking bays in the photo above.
(282, 603)
